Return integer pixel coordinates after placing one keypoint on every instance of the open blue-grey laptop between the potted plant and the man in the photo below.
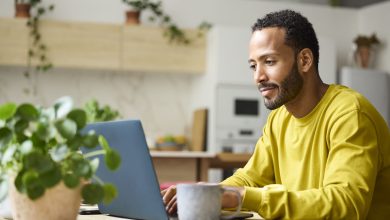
(139, 194)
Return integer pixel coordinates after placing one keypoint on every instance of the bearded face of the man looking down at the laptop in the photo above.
(275, 68)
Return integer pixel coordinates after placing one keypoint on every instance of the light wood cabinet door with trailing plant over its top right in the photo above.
(145, 48)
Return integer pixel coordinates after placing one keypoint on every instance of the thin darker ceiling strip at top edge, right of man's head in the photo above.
(339, 3)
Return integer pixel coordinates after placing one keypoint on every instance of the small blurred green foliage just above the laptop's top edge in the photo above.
(96, 112)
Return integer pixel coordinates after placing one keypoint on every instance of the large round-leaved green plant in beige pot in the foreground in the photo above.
(40, 160)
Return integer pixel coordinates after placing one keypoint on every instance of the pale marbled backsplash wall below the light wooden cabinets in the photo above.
(160, 101)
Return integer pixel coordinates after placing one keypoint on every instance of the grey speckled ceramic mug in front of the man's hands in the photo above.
(202, 201)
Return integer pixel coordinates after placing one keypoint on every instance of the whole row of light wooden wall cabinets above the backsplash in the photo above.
(103, 47)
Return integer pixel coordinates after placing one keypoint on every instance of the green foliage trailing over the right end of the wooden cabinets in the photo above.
(171, 31)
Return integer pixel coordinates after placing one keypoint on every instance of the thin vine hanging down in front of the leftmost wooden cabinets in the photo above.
(37, 51)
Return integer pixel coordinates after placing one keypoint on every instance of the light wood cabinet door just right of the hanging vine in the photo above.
(82, 45)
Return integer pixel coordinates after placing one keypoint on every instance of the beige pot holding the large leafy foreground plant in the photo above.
(58, 202)
